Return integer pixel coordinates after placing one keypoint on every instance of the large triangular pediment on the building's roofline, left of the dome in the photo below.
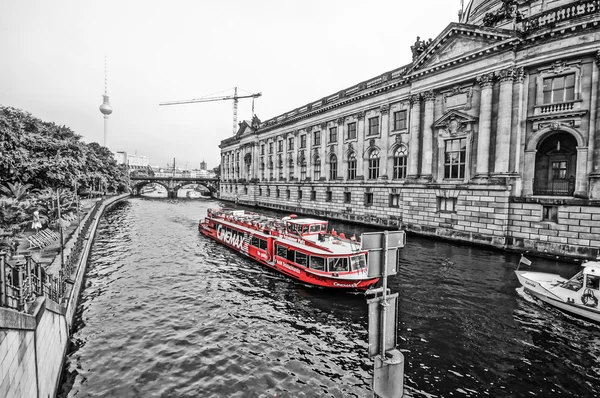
(458, 41)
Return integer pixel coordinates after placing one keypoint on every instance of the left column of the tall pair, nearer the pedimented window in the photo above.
(486, 82)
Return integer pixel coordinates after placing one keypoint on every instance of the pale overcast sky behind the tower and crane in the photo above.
(52, 62)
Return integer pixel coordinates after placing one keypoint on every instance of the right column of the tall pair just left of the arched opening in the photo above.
(503, 128)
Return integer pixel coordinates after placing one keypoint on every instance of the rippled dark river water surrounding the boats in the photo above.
(166, 312)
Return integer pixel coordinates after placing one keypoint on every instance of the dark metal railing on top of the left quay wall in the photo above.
(23, 279)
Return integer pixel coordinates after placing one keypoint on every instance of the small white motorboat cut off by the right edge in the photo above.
(578, 296)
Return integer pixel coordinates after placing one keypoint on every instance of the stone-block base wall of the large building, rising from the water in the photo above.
(486, 215)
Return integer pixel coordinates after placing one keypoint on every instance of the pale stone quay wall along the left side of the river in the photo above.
(33, 344)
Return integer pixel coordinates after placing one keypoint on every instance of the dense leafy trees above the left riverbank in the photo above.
(39, 159)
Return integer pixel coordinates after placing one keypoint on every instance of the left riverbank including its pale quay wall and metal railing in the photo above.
(44, 288)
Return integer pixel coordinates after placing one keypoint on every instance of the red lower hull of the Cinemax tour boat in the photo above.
(297, 273)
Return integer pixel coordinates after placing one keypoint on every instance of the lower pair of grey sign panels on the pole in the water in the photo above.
(375, 327)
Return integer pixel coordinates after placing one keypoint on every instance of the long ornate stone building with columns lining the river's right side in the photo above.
(490, 135)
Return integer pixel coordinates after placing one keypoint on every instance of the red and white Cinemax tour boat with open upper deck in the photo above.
(301, 248)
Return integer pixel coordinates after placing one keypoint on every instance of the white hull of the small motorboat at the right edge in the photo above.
(546, 287)
